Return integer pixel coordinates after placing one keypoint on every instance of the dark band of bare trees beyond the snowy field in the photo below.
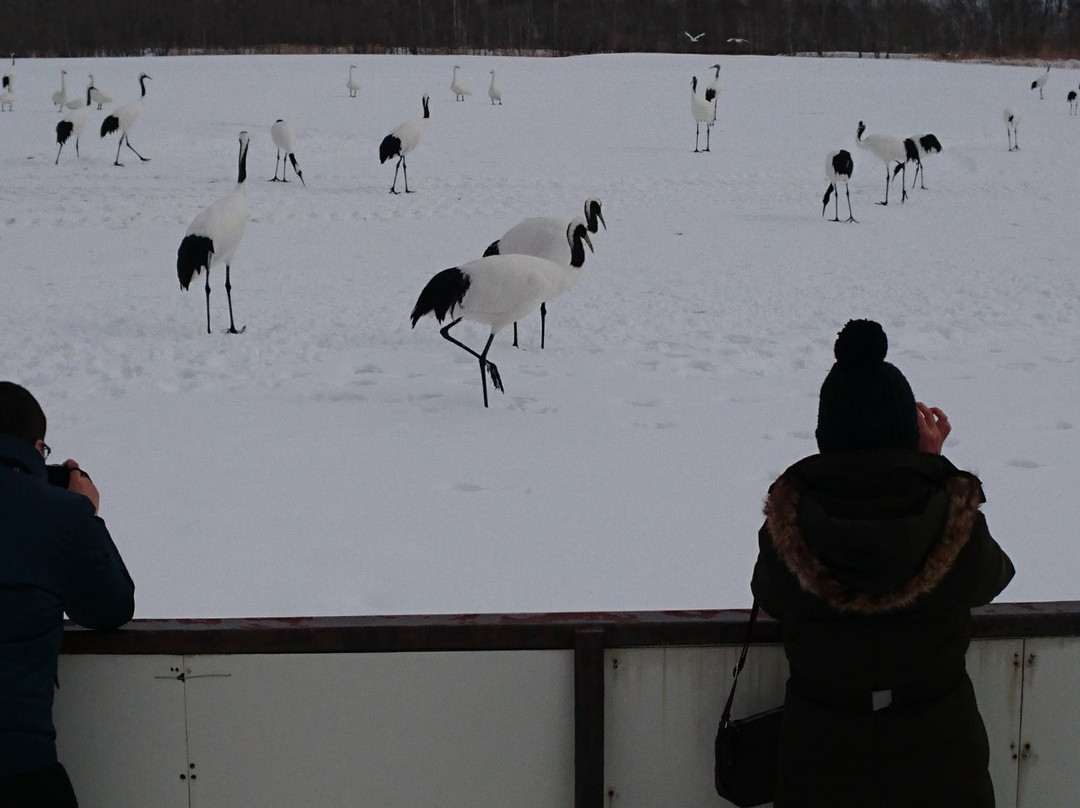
(1032, 29)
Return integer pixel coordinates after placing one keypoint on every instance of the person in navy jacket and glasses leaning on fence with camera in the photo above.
(57, 557)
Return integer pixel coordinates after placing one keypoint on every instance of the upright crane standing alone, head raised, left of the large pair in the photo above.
(214, 236)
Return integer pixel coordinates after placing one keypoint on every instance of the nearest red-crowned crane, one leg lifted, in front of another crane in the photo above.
(495, 291)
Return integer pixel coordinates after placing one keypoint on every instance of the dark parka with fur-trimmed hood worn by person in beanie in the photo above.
(873, 562)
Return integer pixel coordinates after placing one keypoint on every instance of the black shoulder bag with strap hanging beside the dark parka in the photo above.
(748, 749)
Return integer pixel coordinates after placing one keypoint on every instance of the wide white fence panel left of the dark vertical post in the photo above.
(395, 731)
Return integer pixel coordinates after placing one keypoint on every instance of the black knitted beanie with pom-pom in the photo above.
(866, 402)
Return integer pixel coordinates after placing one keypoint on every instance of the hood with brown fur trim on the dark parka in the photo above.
(872, 532)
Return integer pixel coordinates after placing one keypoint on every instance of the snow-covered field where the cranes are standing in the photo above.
(334, 461)
